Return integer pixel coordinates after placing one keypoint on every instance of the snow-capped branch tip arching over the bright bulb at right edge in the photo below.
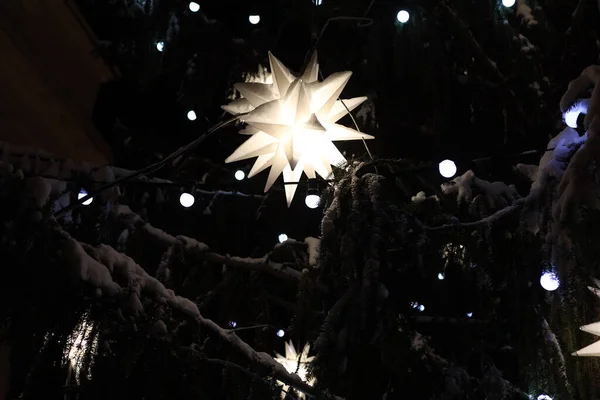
(590, 77)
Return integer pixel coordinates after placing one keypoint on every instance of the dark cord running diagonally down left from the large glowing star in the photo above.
(146, 170)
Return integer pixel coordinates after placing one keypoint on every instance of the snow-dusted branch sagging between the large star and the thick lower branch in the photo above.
(263, 264)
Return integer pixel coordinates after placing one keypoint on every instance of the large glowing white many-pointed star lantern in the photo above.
(292, 123)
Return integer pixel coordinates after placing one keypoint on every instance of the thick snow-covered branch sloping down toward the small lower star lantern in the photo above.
(97, 266)
